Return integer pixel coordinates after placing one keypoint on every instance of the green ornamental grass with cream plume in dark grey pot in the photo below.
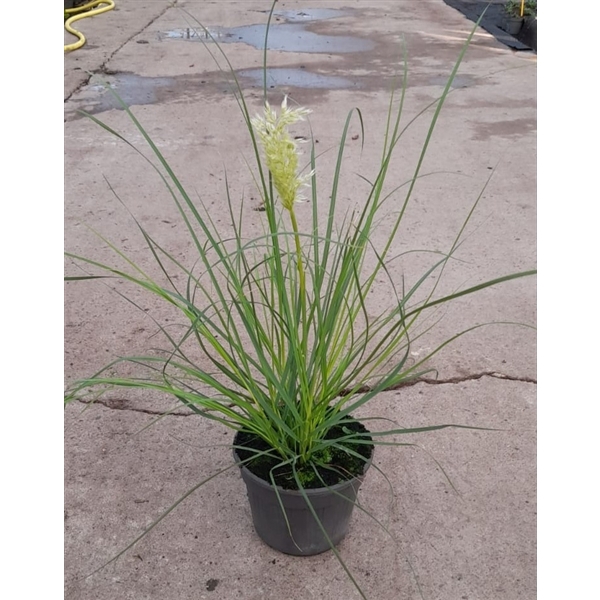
(290, 346)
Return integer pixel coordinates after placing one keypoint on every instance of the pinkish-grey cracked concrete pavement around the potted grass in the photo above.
(477, 544)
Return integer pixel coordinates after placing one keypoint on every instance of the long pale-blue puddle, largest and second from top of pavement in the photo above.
(285, 37)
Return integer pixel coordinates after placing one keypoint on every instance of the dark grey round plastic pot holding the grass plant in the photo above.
(333, 505)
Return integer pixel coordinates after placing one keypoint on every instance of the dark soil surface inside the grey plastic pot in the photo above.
(342, 465)
